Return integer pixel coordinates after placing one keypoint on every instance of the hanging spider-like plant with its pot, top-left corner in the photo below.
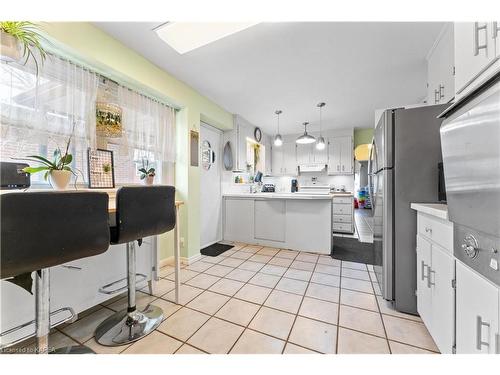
(20, 39)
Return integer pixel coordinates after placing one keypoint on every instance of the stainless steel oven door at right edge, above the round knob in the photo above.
(470, 139)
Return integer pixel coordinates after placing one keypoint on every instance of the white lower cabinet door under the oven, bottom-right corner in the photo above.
(477, 313)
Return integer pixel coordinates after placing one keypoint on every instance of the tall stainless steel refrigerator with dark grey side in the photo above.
(403, 168)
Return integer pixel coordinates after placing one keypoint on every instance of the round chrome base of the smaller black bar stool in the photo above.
(124, 327)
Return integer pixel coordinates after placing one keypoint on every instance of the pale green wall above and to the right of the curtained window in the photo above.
(91, 46)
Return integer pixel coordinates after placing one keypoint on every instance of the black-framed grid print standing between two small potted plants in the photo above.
(101, 171)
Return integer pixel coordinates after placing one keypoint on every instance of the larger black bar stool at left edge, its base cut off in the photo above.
(40, 230)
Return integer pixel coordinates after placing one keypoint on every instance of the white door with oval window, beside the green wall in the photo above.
(210, 186)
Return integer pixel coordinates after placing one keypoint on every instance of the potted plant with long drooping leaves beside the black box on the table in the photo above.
(58, 171)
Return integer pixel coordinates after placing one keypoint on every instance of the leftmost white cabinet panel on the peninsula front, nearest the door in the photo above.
(239, 220)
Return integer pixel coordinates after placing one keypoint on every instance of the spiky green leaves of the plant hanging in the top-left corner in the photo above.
(28, 34)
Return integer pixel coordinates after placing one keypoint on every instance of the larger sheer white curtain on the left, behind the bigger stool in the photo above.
(39, 113)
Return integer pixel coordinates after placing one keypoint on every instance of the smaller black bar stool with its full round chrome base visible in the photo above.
(141, 211)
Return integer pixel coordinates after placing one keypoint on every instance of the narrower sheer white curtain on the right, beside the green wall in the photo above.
(149, 127)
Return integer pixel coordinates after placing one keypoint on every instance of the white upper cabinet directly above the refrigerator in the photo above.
(440, 68)
